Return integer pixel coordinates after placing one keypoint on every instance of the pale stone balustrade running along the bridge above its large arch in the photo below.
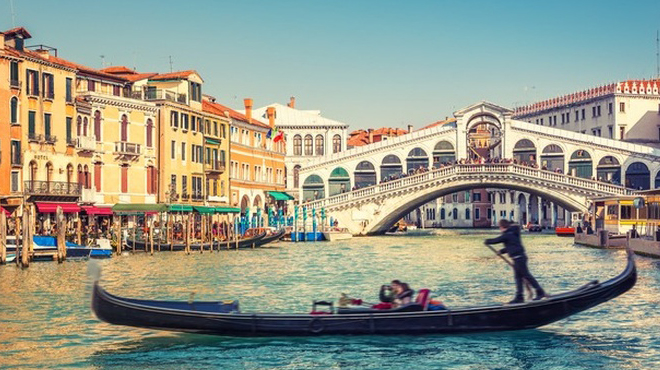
(458, 169)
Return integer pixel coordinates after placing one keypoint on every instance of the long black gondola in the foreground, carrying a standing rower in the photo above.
(221, 318)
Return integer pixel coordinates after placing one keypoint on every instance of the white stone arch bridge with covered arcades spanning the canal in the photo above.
(367, 189)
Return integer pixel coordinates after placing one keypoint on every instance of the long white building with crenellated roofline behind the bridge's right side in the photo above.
(625, 110)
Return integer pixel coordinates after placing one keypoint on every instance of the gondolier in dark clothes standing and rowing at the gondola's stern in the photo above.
(513, 247)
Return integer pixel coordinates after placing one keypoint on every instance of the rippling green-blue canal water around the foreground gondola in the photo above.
(46, 321)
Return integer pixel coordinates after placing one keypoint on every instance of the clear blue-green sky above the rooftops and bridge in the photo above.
(365, 63)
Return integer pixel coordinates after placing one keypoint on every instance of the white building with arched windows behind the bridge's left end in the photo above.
(308, 136)
